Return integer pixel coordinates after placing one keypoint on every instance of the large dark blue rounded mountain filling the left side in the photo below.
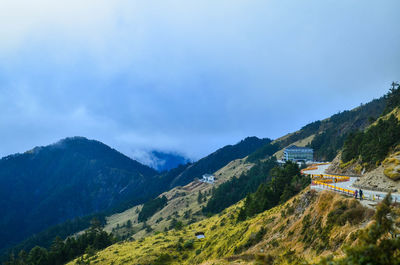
(71, 178)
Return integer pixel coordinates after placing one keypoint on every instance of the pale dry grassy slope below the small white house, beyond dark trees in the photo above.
(180, 200)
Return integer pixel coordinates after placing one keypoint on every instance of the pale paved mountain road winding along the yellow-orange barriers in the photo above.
(368, 194)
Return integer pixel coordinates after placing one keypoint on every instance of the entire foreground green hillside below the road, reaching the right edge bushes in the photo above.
(301, 231)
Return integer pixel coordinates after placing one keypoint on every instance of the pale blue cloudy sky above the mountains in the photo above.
(187, 76)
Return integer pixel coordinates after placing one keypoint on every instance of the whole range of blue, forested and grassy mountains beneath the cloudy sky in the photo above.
(251, 199)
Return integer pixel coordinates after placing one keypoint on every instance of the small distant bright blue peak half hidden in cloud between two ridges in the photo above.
(163, 161)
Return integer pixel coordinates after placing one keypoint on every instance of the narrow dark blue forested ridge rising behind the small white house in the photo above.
(218, 159)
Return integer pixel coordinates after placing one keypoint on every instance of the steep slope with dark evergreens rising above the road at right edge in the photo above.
(374, 153)
